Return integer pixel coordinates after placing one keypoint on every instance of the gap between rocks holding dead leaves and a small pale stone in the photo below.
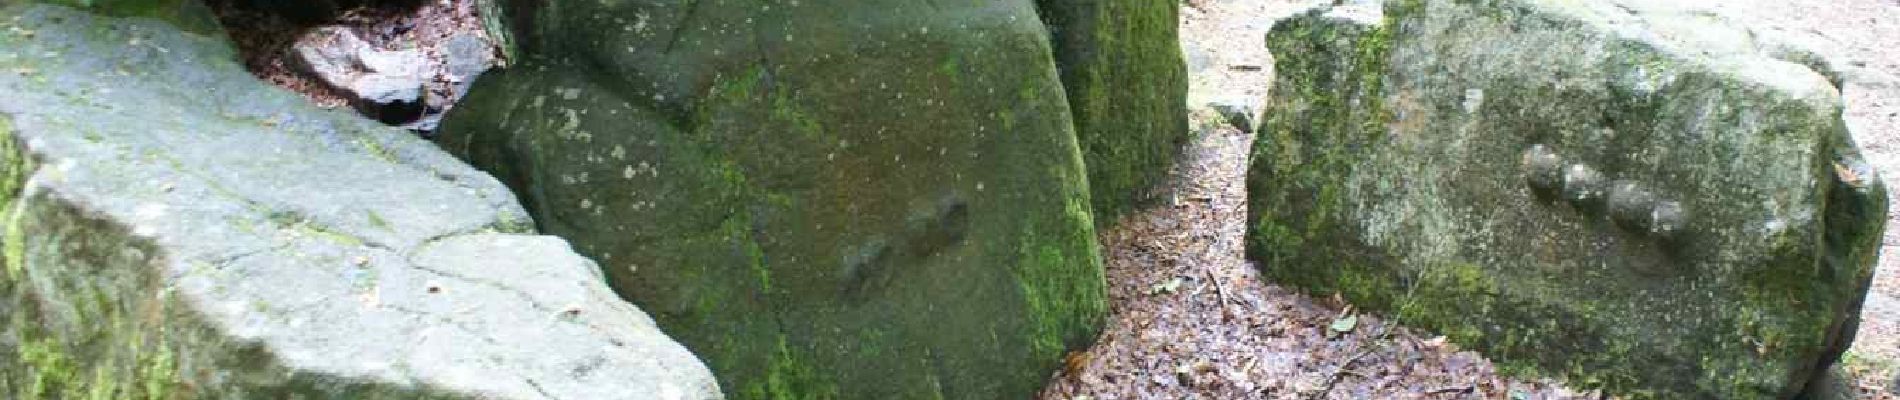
(396, 62)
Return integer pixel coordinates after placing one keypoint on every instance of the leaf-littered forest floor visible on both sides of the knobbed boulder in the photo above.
(1194, 319)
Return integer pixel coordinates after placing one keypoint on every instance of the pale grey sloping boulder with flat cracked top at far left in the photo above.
(176, 228)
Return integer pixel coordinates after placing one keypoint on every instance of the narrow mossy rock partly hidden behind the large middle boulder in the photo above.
(1128, 86)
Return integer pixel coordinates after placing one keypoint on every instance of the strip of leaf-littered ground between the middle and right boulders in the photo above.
(1192, 319)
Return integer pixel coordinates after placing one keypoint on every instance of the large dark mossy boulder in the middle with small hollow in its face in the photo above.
(824, 200)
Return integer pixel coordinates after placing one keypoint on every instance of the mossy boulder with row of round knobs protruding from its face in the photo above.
(1624, 194)
